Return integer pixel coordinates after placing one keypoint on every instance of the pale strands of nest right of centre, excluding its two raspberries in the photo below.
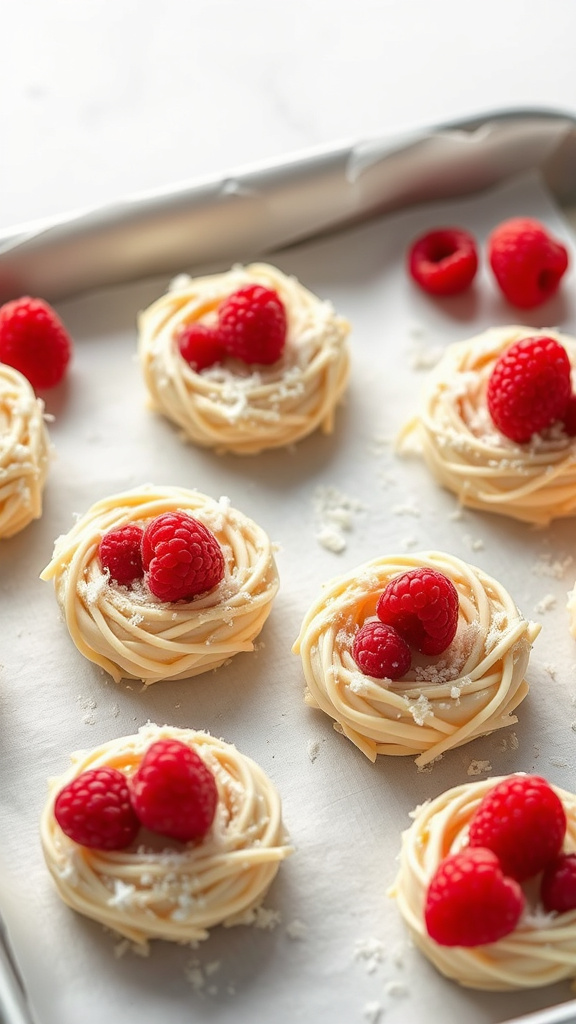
(469, 691)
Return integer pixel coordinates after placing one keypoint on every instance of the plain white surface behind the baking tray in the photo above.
(102, 99)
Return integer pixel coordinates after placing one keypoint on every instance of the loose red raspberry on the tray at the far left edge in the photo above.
(34, 342)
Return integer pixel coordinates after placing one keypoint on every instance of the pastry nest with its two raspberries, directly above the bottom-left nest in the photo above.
(163, 583)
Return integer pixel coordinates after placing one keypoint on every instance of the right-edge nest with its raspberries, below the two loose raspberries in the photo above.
(498, 423)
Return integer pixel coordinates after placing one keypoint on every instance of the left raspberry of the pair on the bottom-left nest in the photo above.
(95, 810)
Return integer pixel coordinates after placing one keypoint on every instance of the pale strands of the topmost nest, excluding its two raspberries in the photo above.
(235, 407)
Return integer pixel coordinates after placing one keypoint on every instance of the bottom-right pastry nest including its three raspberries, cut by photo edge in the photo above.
(487, 883)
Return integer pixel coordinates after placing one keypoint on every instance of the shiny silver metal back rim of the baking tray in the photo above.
(253, 212)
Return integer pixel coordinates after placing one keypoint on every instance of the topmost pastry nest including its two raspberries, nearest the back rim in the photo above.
(244, 361)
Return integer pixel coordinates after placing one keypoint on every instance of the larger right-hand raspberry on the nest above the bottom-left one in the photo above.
(182, 557)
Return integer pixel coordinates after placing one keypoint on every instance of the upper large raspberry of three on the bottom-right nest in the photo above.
(523, 822)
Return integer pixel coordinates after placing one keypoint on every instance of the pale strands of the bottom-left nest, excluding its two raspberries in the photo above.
(163, 889)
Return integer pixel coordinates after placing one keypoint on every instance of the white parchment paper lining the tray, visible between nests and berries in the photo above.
(339, 944)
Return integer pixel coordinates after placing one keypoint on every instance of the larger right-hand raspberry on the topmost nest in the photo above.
(253, 325)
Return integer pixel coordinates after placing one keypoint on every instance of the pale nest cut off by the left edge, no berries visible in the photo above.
(25, 453)
